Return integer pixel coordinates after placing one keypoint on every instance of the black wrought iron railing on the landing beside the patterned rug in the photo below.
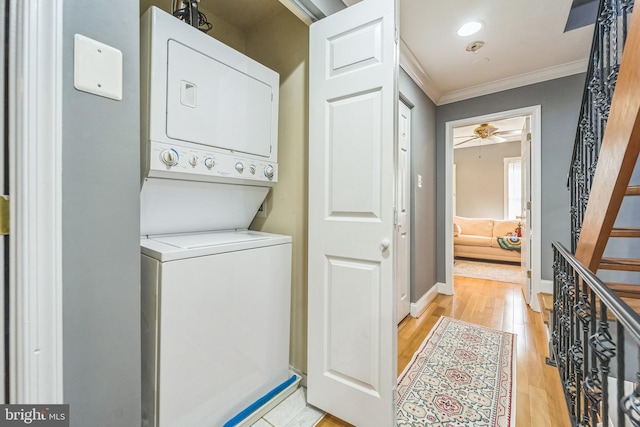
(583, 303)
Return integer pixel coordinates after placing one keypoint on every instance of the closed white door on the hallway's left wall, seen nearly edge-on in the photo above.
(403, 202)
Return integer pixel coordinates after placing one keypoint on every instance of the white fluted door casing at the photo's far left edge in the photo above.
(35, 163)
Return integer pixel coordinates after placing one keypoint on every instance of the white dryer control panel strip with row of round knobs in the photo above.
(190, 161)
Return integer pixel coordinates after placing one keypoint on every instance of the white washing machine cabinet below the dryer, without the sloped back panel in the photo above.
(215, 319)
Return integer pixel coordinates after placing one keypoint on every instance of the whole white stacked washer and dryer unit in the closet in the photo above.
(215, 295)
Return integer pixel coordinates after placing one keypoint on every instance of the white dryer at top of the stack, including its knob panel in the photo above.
(209, 112)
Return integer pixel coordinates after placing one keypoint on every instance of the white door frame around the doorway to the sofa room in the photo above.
(536, 197)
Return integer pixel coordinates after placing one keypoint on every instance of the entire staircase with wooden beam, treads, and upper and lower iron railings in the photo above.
(594, 319)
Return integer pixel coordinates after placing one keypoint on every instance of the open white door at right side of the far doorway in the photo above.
(525, 216)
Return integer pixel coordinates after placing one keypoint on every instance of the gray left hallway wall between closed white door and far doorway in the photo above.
(423, 202)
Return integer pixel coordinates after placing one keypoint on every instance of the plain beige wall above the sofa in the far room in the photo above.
(480, 179)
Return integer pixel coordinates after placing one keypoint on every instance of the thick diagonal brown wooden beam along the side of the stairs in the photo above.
(618, 155)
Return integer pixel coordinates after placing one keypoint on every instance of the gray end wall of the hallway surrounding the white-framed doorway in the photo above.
(560, 100)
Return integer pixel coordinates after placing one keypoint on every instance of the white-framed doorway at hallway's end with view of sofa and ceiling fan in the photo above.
(481, 153)
